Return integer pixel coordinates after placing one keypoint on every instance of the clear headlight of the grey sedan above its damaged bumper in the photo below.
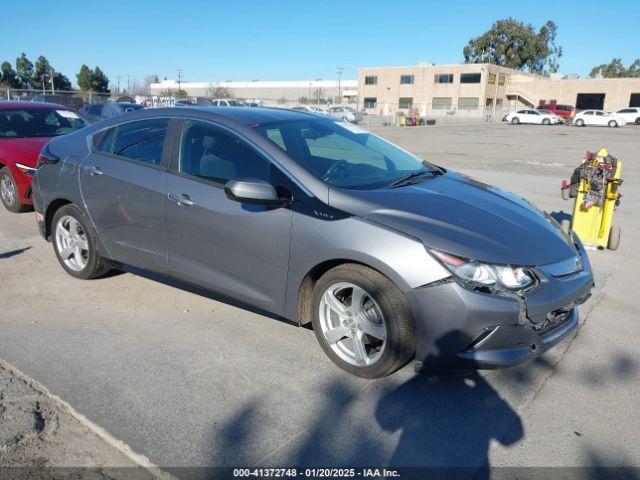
(498, 277)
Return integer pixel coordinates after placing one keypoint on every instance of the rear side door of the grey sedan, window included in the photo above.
(122, 183)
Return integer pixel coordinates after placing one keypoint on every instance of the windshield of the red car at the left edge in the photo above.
(39, 122)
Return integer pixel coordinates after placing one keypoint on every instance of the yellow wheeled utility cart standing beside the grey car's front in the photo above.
(594, 186)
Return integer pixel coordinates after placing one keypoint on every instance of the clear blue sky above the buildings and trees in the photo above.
(295, 39)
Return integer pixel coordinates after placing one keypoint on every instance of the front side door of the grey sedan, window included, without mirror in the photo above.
(239, 250)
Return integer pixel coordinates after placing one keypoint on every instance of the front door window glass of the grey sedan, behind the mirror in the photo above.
(212, 154)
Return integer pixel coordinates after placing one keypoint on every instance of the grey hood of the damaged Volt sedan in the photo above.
(464, 217)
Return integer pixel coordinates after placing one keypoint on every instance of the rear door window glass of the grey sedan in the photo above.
(142, 141)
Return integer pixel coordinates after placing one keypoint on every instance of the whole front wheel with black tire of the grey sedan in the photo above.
(362, 321)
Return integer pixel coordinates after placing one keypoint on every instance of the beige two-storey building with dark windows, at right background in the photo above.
(471, 88)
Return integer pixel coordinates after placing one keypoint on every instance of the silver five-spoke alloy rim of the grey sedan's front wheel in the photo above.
(352, 323)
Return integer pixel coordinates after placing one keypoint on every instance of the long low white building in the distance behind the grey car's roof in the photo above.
(270, 91)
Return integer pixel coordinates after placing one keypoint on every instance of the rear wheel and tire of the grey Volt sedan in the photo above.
(76, 245)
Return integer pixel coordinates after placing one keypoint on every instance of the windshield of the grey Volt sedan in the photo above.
(343, 155)
